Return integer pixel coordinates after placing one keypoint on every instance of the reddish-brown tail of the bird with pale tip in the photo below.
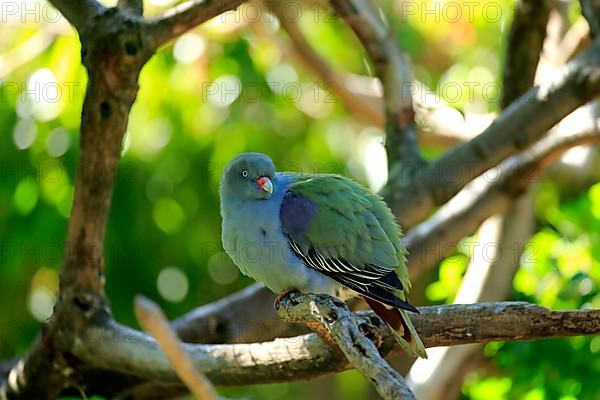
(401, 327)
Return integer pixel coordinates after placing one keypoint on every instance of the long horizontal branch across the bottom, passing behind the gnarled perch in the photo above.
(111, 346)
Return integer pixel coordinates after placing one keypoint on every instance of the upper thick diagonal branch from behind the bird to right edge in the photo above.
(520, 125)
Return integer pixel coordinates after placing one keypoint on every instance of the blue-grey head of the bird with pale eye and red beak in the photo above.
(248, 177)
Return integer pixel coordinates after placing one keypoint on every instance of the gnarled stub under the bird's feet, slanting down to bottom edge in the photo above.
(340, 325)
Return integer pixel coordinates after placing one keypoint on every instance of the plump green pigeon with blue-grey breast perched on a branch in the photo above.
(317, 233)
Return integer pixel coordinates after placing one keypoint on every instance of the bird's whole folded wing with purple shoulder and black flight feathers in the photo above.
(347, 232)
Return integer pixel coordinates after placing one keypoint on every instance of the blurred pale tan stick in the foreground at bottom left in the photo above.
(153, 320)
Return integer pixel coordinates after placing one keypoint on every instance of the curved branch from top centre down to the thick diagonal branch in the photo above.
(393, 69)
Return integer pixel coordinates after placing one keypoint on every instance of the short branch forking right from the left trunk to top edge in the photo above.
(181, 18)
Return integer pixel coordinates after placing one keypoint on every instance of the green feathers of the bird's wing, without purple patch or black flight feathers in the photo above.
(351, 222)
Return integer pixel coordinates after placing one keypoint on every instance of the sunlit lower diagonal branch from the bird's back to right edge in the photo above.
(489, 194)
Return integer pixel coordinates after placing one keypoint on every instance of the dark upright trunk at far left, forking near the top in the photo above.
(113, 52)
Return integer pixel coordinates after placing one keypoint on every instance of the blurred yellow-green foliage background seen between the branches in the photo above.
(229, 86)
